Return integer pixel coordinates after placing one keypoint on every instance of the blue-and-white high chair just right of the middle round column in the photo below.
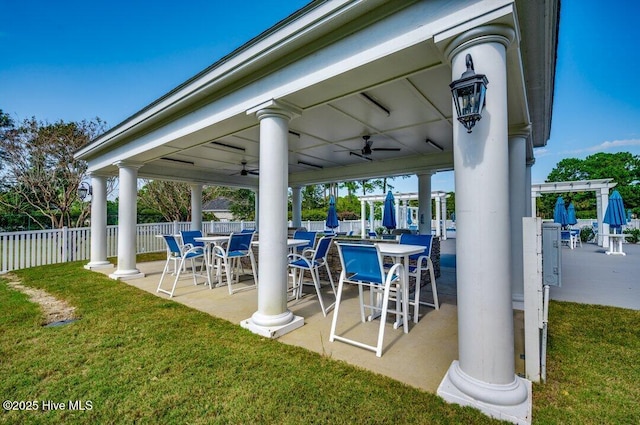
(312, 260)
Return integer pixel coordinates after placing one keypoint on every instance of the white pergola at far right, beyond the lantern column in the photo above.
(600, 186)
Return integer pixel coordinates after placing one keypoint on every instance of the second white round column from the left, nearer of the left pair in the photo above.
(127, 218)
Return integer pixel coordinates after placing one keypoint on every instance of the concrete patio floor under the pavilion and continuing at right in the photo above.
(421, 357)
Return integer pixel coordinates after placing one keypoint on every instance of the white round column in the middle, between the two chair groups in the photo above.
(273, 319)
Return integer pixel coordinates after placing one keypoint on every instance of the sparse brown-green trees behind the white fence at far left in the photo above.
(40, 171)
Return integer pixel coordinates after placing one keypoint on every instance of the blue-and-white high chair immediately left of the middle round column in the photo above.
(230, 256)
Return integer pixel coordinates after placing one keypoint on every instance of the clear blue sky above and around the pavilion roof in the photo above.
(75, 60)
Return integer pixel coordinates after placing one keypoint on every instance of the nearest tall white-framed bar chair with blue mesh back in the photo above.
(362, 266)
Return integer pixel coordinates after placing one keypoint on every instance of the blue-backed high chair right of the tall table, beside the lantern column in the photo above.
(422, 263)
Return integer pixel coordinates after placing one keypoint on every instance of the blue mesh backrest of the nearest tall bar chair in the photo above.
(361, 262)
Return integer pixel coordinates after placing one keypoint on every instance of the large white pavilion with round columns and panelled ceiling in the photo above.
(295, 103)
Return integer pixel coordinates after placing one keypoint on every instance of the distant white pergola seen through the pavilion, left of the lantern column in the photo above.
(402, 205)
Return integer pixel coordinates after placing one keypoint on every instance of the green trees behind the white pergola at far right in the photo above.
(622, 167)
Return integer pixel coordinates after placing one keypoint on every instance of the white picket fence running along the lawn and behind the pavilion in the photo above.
(19, 250)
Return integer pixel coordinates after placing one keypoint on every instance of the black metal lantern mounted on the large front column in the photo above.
(468, 95)
